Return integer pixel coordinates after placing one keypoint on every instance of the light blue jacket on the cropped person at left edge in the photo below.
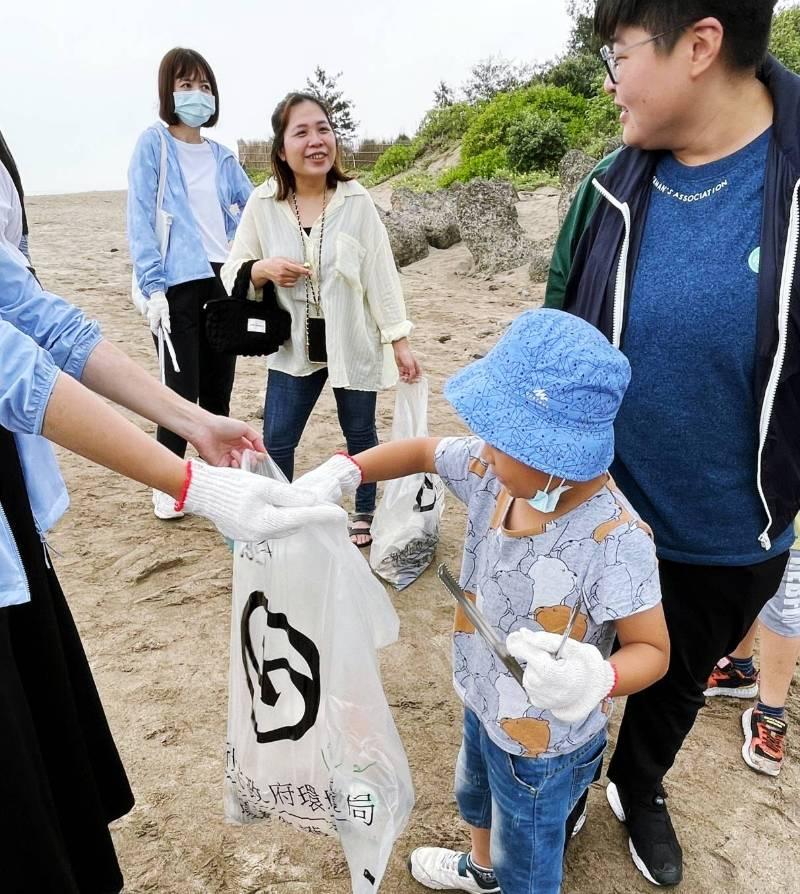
(40, 335)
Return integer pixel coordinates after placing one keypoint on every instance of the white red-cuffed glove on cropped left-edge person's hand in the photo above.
(249, 507)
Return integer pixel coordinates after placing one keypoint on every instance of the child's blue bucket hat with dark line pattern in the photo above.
(546, 394)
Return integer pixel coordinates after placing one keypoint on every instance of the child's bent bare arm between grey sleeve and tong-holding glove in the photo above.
(644, 654)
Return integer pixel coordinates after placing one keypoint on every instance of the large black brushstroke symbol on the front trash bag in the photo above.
(309, 687)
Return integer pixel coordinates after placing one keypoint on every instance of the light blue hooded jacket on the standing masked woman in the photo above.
(186, 258)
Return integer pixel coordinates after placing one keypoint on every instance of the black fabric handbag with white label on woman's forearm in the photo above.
(236, 325)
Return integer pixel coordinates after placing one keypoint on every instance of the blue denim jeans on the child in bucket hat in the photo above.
(525, 801)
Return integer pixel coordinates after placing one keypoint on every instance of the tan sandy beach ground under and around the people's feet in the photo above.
(152, 602)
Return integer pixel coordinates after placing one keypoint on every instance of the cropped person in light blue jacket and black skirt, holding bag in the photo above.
(61, 779)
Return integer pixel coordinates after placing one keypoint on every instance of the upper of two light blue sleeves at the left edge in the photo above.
(52, 323)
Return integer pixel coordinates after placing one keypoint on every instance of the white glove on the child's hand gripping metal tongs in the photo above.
(569, 687)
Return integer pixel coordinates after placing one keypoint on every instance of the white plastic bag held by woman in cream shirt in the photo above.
(405, 529)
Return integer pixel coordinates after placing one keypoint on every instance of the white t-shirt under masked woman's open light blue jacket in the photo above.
(199, 167)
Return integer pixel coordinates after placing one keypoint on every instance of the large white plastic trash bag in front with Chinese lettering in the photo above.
(311, 739)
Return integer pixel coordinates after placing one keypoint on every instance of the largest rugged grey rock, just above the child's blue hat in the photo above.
(489, 226)
